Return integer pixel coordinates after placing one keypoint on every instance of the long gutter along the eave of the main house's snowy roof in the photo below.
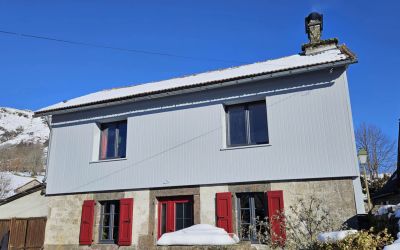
(196, 87)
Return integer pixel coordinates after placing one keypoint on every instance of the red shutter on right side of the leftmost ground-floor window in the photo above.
(125, 222)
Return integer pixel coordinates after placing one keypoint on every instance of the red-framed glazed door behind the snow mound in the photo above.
(174, 214)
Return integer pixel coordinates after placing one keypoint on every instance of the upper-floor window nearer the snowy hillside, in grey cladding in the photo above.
(113, 140)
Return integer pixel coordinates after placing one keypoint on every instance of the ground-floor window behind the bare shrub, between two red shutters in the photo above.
(251, 214)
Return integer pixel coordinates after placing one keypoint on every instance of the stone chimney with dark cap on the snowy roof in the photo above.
(314, 25)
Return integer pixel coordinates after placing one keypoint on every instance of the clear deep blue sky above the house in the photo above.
(35, 73)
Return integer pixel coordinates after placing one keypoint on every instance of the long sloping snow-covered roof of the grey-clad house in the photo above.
(212, 77)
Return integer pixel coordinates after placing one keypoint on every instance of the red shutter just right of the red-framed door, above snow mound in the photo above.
(224, 211)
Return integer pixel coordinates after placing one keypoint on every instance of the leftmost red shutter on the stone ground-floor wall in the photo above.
(86, 233)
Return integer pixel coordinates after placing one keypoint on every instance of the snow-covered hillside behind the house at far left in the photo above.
(18, 126)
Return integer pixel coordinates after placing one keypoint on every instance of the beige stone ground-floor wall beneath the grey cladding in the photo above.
(63, 224)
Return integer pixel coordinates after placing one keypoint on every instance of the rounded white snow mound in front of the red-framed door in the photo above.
(200, 234)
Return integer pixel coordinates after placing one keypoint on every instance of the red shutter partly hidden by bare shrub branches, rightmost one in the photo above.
(275, 208)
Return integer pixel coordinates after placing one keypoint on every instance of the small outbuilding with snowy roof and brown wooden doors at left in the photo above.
(23, 218)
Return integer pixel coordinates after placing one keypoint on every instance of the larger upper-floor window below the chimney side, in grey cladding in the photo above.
(247, 124)
